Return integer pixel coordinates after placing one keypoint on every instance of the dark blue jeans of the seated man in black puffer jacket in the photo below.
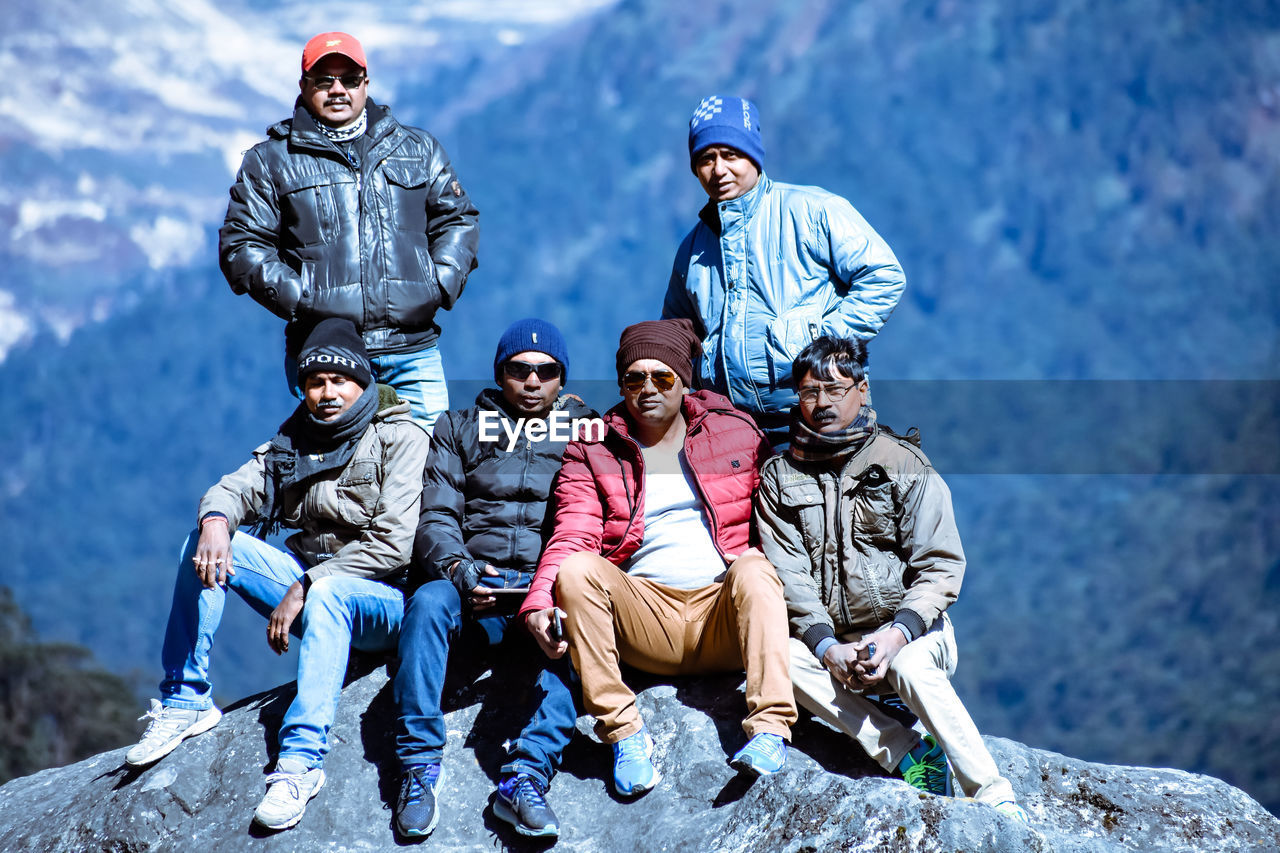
(433, 619)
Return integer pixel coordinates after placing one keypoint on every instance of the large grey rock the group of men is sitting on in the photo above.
(830, 797)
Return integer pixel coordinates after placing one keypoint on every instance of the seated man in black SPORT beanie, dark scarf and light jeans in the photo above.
(345, 472)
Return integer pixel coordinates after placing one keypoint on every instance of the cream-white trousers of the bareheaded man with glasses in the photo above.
(922, 676)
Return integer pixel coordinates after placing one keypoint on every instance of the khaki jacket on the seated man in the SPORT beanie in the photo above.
(358, 522)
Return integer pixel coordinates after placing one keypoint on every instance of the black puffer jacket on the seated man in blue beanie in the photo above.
(481, 501)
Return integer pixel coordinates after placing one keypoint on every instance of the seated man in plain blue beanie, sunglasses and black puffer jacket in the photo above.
(486, 487)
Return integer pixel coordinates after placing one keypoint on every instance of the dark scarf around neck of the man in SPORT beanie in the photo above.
(308, 446)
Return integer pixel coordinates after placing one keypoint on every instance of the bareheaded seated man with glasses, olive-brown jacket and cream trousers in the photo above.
(862, 533)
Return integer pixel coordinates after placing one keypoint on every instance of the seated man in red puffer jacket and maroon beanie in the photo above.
(651, 559)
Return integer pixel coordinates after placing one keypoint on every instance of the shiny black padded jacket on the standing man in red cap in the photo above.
(386, 244)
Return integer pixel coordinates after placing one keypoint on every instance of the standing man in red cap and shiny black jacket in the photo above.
(345, 212)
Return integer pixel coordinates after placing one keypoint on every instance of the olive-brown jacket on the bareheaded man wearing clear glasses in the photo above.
(860, 548)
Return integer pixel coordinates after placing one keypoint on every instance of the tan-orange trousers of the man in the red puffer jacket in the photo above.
(740, 623)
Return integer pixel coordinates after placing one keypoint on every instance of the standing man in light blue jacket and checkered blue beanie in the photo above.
(770, 267)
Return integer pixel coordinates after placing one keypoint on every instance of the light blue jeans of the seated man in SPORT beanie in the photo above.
(340, 613)
